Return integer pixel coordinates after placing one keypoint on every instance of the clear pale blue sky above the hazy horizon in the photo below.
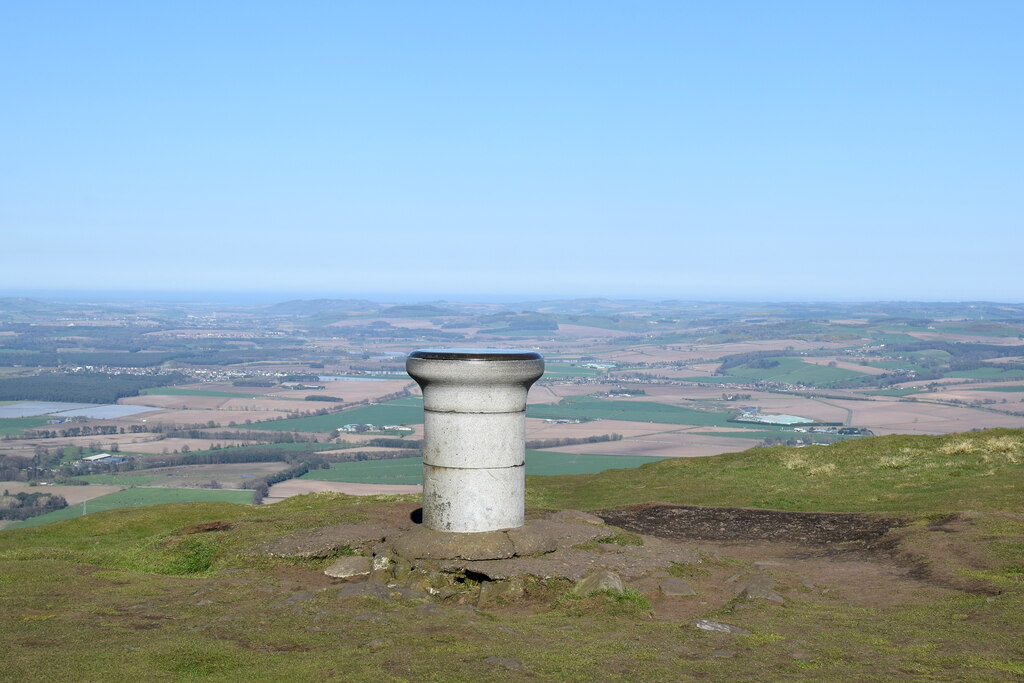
(666, 150)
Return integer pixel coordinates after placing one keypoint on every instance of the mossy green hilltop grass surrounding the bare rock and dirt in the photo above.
(160, 593)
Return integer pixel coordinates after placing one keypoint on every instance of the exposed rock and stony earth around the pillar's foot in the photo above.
(554, 558)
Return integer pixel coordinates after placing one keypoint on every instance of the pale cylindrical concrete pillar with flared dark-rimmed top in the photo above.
(475, 417)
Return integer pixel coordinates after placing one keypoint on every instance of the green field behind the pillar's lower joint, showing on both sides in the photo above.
(410, 471)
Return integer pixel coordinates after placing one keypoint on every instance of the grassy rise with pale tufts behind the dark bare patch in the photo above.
(893, 475)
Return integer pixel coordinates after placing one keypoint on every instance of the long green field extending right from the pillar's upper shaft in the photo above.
(633, 411)
